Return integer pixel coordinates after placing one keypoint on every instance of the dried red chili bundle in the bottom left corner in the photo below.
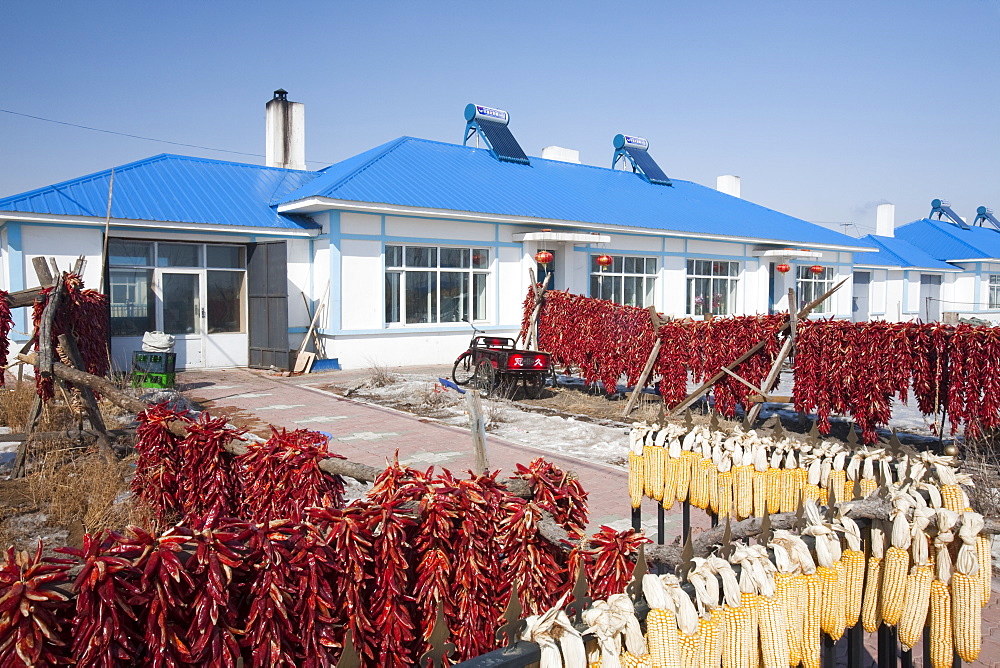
(35, 610)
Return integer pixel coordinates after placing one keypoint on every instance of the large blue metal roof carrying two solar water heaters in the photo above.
(421, 173)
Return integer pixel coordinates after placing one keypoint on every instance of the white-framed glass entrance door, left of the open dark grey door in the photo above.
(182, 313)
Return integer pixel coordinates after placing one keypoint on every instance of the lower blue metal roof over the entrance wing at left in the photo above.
(174, 188)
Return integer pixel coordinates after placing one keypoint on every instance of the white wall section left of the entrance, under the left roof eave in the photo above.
(65, 244)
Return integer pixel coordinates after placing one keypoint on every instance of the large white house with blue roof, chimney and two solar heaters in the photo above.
(410, 239)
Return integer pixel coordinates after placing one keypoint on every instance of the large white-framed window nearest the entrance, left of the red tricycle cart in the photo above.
(426, 284)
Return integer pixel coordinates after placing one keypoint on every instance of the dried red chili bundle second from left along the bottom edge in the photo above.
(106, 629)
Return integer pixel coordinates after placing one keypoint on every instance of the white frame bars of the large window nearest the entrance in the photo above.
(474, 290)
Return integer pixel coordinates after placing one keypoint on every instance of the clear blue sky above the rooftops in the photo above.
(825, 109)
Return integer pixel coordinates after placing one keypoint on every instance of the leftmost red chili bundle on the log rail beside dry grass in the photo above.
(159, 462)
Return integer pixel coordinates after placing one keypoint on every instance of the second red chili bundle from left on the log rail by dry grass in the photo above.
(209, 479)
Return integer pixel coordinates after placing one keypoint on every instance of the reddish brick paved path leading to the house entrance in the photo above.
(371, 434)
